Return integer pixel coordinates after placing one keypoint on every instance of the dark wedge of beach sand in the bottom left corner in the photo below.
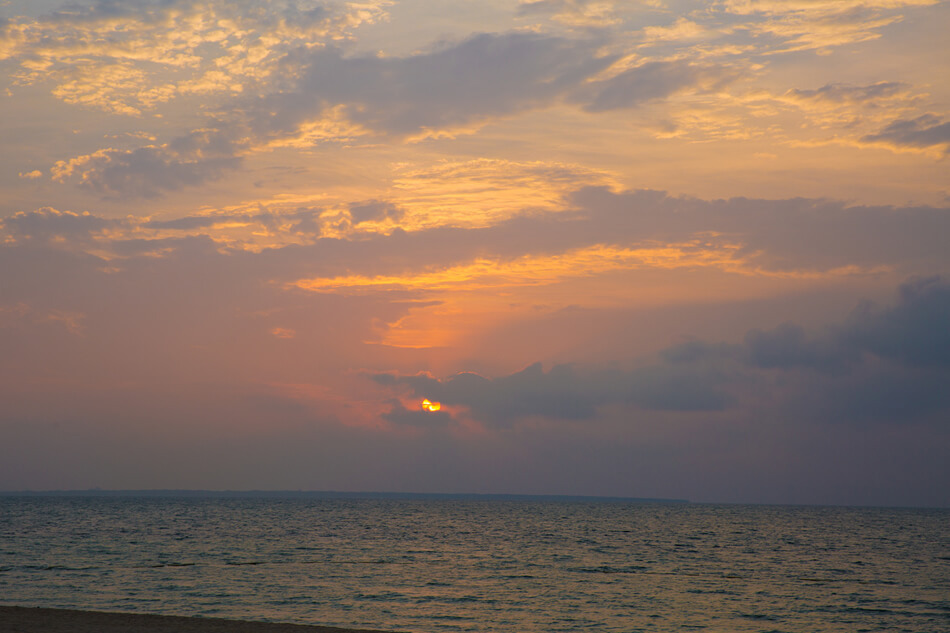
(36, 620)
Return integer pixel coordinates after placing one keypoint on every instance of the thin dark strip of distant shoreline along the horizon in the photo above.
(329, 494)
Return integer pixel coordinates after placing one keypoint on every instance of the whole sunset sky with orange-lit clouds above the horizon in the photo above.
(654, 248)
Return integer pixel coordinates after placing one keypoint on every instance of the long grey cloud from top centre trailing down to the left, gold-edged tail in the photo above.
(448, 88)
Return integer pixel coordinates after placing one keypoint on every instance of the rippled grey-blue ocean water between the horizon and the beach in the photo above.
(431, 566)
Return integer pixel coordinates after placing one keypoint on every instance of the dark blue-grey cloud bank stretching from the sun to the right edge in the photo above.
(885, 365)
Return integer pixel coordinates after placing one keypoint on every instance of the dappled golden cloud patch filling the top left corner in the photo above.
(130, 57)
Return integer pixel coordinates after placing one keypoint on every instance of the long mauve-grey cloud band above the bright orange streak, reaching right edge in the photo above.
(774, 235)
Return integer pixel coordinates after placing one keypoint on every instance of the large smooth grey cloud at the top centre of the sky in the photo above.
(486, 75)
